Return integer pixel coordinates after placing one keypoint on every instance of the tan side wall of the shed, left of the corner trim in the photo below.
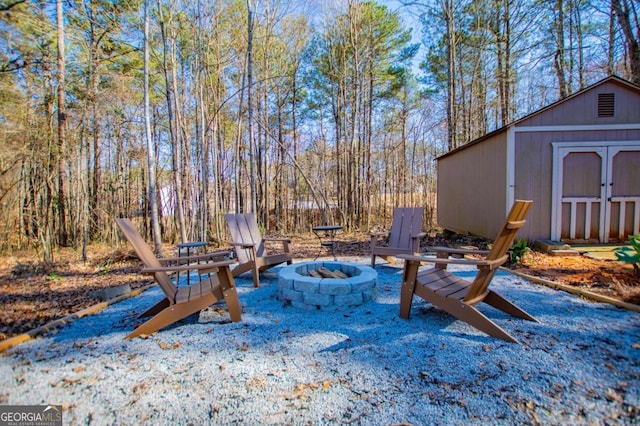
(471, 189)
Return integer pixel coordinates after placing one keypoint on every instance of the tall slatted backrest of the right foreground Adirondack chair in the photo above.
(515, 221)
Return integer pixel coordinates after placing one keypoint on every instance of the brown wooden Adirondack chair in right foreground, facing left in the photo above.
(457, 296)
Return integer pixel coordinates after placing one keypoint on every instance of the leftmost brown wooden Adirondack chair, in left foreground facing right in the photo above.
(215, 284)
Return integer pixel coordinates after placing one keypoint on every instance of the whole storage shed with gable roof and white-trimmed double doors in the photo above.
(578, 159)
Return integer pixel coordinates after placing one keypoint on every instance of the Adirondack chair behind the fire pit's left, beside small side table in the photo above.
(250, 247)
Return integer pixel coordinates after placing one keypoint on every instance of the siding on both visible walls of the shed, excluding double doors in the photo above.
(472, 180)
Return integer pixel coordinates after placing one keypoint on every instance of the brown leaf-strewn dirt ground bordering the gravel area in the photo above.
(33, 294)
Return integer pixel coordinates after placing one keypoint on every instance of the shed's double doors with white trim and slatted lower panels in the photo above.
(597, 194)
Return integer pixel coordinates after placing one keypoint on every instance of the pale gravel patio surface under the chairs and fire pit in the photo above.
(281, 365)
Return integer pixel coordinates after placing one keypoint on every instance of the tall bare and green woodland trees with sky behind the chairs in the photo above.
(176, 111)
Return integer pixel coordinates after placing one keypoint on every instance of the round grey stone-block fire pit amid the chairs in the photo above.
(297, 287)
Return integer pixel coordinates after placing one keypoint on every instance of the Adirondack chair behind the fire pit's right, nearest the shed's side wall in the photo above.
(404, 235)
